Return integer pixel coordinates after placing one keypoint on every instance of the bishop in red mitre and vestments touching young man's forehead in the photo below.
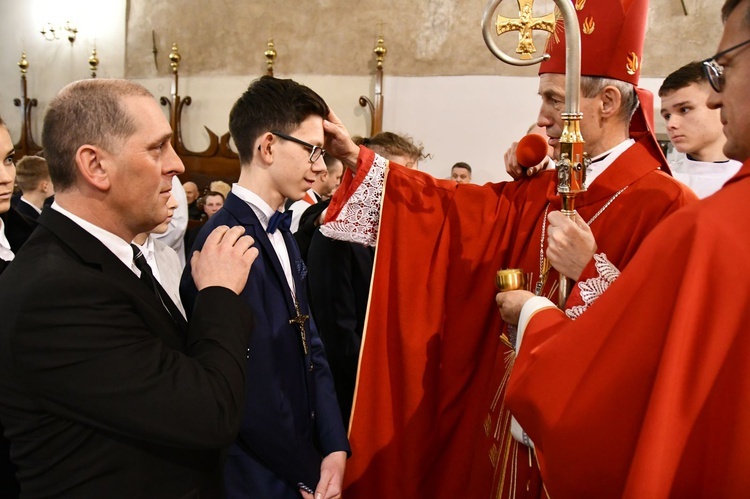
(429, 418)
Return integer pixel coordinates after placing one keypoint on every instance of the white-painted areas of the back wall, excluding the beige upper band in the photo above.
(457, 118)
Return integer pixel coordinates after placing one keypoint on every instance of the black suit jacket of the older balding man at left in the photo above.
(101, 393)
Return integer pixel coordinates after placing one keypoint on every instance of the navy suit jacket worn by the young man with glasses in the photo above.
(291, 416)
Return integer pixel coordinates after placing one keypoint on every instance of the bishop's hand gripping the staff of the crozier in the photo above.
(570, 244)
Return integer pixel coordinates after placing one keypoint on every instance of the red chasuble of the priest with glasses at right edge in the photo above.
(648, 393)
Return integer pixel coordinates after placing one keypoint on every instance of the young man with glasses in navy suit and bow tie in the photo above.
(292, 440)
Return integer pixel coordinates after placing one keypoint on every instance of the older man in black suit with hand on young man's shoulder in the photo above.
(103, 391)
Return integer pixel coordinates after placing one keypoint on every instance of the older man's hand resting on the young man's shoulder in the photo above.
(224, 260)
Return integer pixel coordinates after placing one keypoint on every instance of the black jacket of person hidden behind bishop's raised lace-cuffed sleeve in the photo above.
(339, 284)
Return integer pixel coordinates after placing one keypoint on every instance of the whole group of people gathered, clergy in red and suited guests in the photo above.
(326, 325)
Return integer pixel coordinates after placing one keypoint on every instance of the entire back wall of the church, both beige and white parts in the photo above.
(441, 84)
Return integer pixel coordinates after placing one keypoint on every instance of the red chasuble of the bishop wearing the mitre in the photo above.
(429, 417)
